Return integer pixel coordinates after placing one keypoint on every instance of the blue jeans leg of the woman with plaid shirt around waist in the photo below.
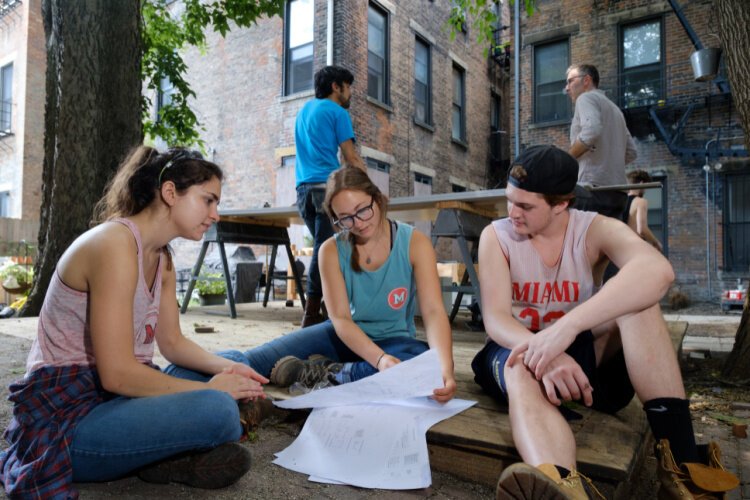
(124, 434)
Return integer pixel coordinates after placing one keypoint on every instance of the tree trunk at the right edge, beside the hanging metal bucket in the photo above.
(734, 19)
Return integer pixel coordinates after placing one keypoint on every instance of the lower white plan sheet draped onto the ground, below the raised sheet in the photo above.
(369, 445)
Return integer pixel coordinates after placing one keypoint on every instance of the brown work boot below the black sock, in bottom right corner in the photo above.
(707, 480)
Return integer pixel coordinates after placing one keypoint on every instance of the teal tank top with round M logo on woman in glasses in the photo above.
(382, 302)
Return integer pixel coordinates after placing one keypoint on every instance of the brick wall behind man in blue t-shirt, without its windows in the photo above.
(250, 124)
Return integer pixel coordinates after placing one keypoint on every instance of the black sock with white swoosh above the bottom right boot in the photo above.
(669, 418)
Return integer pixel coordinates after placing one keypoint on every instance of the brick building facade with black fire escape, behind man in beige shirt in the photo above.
(642, 50)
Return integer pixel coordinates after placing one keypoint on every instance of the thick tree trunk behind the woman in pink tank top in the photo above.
(92, 118)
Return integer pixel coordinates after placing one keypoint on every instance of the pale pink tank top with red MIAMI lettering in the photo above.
(544, 294)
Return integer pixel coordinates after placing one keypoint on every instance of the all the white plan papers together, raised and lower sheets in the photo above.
(370, 444)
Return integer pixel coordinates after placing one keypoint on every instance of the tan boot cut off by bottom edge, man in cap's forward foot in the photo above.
(523, 482)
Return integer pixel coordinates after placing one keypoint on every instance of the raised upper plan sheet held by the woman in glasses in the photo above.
(418, 376)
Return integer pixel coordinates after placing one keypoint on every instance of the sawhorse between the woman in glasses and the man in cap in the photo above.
(464, 225)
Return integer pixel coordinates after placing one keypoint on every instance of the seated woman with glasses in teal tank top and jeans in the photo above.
(371, 272)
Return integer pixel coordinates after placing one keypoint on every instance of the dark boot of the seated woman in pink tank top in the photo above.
(215, 468)
